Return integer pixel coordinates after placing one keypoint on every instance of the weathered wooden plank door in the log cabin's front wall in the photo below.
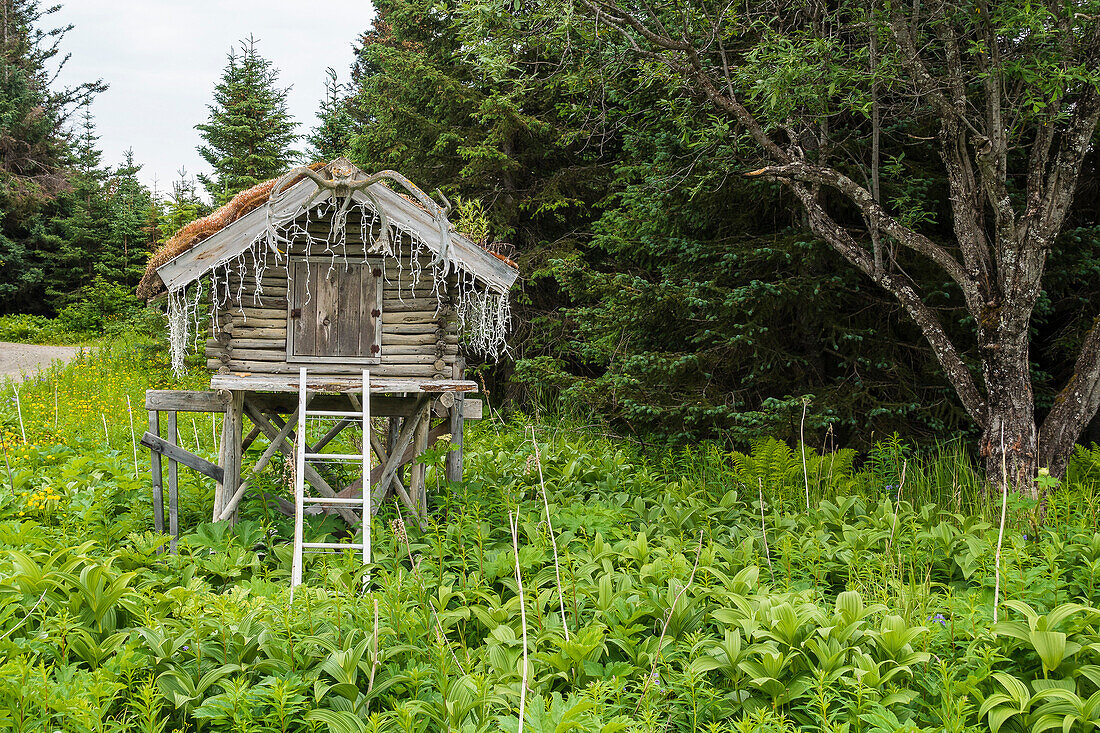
(336, 312)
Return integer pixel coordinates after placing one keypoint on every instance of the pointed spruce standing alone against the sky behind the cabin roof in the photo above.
(249, 135)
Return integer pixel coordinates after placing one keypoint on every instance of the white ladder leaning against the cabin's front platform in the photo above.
(301, 501)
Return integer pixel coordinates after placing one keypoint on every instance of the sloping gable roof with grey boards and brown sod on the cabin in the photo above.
(236, 227)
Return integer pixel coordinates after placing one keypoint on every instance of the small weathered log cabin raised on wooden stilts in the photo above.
(336, 272)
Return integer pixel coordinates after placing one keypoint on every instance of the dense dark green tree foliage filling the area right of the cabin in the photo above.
(664, 291)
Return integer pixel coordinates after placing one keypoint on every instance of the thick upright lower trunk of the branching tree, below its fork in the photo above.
(1010, 440)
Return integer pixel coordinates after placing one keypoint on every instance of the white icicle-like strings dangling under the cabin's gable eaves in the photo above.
(321, 228)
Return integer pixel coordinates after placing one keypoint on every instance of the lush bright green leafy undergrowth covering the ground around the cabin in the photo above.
(698, 592)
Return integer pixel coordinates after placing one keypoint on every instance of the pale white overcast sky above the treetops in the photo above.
(162, 59)
